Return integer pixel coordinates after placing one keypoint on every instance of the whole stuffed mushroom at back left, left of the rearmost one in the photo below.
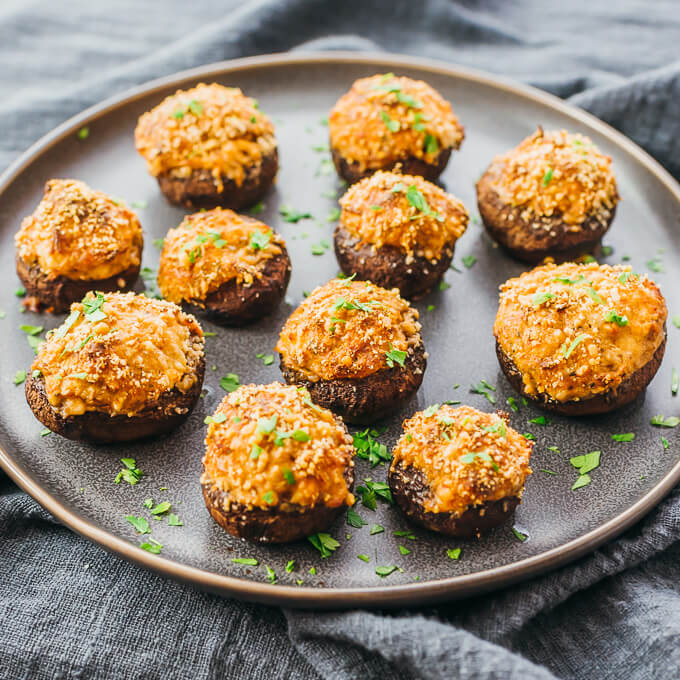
(208, 146)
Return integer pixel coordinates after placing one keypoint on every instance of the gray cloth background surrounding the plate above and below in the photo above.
(612, 614)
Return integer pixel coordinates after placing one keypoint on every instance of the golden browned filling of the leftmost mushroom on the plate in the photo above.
(79, 233)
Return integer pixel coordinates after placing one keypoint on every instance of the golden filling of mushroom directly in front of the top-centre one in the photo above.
(403, 211)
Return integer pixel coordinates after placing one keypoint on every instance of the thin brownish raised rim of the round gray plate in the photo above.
(449, 588)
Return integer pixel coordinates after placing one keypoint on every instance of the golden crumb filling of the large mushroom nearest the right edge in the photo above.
(575, 331)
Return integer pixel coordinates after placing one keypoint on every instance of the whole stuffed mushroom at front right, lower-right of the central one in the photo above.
(459, 471)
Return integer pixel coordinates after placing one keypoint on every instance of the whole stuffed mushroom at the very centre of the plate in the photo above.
(356, 347)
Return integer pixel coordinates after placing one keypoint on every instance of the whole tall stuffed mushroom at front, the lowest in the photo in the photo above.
(277, 467)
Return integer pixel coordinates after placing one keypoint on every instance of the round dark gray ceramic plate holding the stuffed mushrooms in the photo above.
(75, 482)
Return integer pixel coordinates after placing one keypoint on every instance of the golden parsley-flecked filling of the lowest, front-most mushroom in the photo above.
(269, 445)
